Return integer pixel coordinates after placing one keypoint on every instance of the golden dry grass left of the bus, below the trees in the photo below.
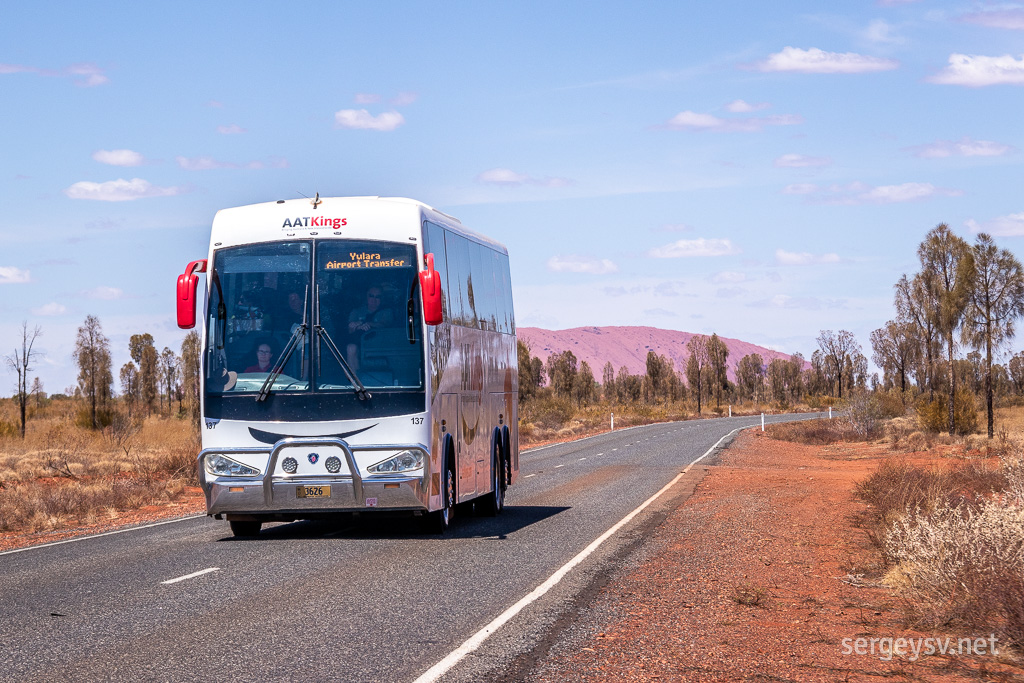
(63, 475)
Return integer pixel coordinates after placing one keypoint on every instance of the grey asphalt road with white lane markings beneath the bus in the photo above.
(367, 602)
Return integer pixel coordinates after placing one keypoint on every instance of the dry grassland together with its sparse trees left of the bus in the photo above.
(89, 455)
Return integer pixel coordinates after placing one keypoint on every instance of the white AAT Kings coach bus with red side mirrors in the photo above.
(359, 355)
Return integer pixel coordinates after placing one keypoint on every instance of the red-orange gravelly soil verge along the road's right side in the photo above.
(760, 576)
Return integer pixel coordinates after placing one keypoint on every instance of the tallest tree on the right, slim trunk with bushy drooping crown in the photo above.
(948, 265)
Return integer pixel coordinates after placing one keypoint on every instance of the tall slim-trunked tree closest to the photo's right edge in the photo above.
(997, 302)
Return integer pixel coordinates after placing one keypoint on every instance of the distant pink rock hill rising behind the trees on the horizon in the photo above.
(629, 346)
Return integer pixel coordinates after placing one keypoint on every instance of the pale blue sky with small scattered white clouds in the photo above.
(760, 170)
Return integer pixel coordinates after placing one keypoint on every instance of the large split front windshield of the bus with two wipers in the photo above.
(301, 317)
